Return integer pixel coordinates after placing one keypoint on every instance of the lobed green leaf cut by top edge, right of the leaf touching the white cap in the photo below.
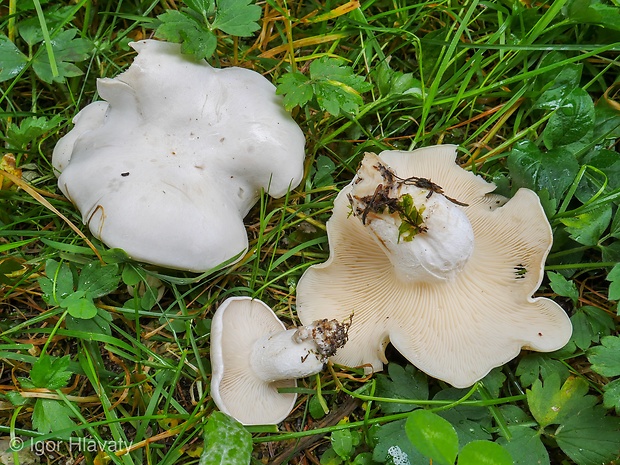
(237, 17)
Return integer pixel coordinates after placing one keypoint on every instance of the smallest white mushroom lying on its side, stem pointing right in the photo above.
(253, 355)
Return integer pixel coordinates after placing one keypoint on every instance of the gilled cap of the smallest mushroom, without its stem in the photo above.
(235, 388)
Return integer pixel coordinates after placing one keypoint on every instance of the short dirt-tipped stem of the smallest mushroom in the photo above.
(297, 353)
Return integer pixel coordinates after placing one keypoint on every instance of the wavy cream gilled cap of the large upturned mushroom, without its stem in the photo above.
(458, 330)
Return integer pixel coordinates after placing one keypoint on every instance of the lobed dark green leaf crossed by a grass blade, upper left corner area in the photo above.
(66, 51)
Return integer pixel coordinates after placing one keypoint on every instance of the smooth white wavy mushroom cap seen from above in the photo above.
(177, 154)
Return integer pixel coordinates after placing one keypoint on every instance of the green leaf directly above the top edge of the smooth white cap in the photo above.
(196, 38)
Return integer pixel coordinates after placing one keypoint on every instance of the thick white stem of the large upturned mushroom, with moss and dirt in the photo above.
(424, 233)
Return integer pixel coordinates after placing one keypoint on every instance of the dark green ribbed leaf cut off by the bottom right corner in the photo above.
(589, 437)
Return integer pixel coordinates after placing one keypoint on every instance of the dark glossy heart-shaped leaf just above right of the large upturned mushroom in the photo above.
(553, 171)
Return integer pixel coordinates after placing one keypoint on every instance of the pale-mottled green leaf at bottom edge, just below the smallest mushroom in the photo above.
(227, 442)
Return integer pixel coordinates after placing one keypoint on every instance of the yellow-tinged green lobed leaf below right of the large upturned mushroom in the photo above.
(551, 403)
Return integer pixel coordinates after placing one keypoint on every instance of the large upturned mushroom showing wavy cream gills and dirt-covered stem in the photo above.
(427, 258)
